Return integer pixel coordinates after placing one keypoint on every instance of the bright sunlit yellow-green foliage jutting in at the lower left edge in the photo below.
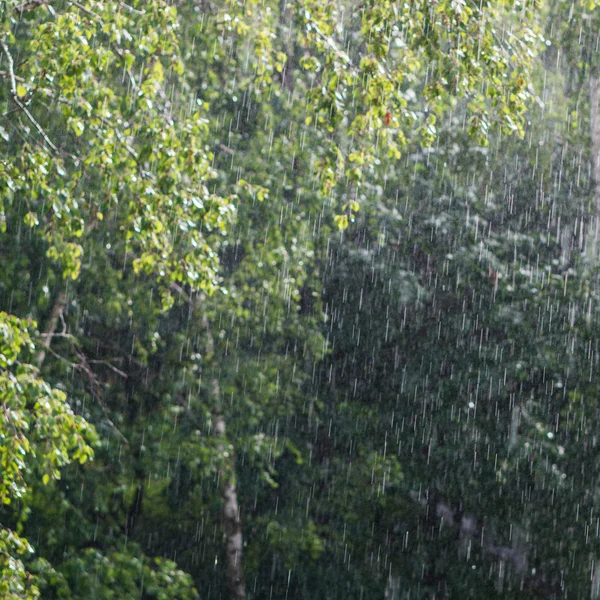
(39, 435)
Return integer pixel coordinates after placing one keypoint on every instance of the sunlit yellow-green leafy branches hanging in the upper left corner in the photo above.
(128, 159)
